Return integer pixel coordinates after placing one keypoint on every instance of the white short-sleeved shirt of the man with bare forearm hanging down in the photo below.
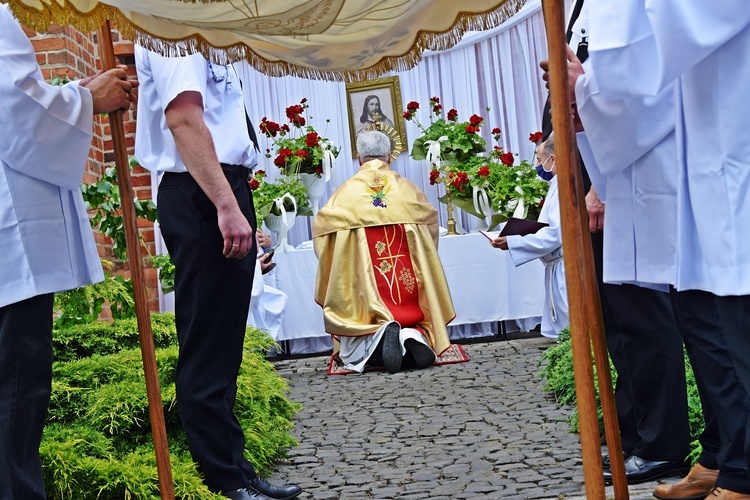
(164, 78)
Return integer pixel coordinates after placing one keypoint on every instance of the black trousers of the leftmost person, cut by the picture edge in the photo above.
(25, 385)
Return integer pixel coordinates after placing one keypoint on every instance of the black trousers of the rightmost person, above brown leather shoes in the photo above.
(716, 332)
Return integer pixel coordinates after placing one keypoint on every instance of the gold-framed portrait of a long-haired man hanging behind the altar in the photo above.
(383, 98)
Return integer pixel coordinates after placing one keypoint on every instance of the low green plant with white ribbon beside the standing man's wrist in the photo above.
(268, 197)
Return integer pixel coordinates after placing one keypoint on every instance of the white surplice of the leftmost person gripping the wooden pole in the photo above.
(46, 242)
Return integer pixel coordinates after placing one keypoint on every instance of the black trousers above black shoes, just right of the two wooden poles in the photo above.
(646, 348)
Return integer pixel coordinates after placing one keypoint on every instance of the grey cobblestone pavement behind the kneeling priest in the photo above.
(481, 429)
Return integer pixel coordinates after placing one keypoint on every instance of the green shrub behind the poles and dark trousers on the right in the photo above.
(557, 370)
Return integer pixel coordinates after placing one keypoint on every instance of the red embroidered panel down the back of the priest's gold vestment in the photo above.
(394, 274)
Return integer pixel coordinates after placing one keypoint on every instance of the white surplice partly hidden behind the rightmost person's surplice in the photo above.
(630, 153)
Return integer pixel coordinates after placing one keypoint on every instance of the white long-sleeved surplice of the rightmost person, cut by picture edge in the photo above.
(639, 48)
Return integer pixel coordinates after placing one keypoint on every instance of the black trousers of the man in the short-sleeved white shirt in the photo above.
(212, 297)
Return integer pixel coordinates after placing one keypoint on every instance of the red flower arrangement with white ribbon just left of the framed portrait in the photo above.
(300, 149)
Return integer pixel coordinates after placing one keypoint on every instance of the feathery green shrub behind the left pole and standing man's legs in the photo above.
(97, 442)
